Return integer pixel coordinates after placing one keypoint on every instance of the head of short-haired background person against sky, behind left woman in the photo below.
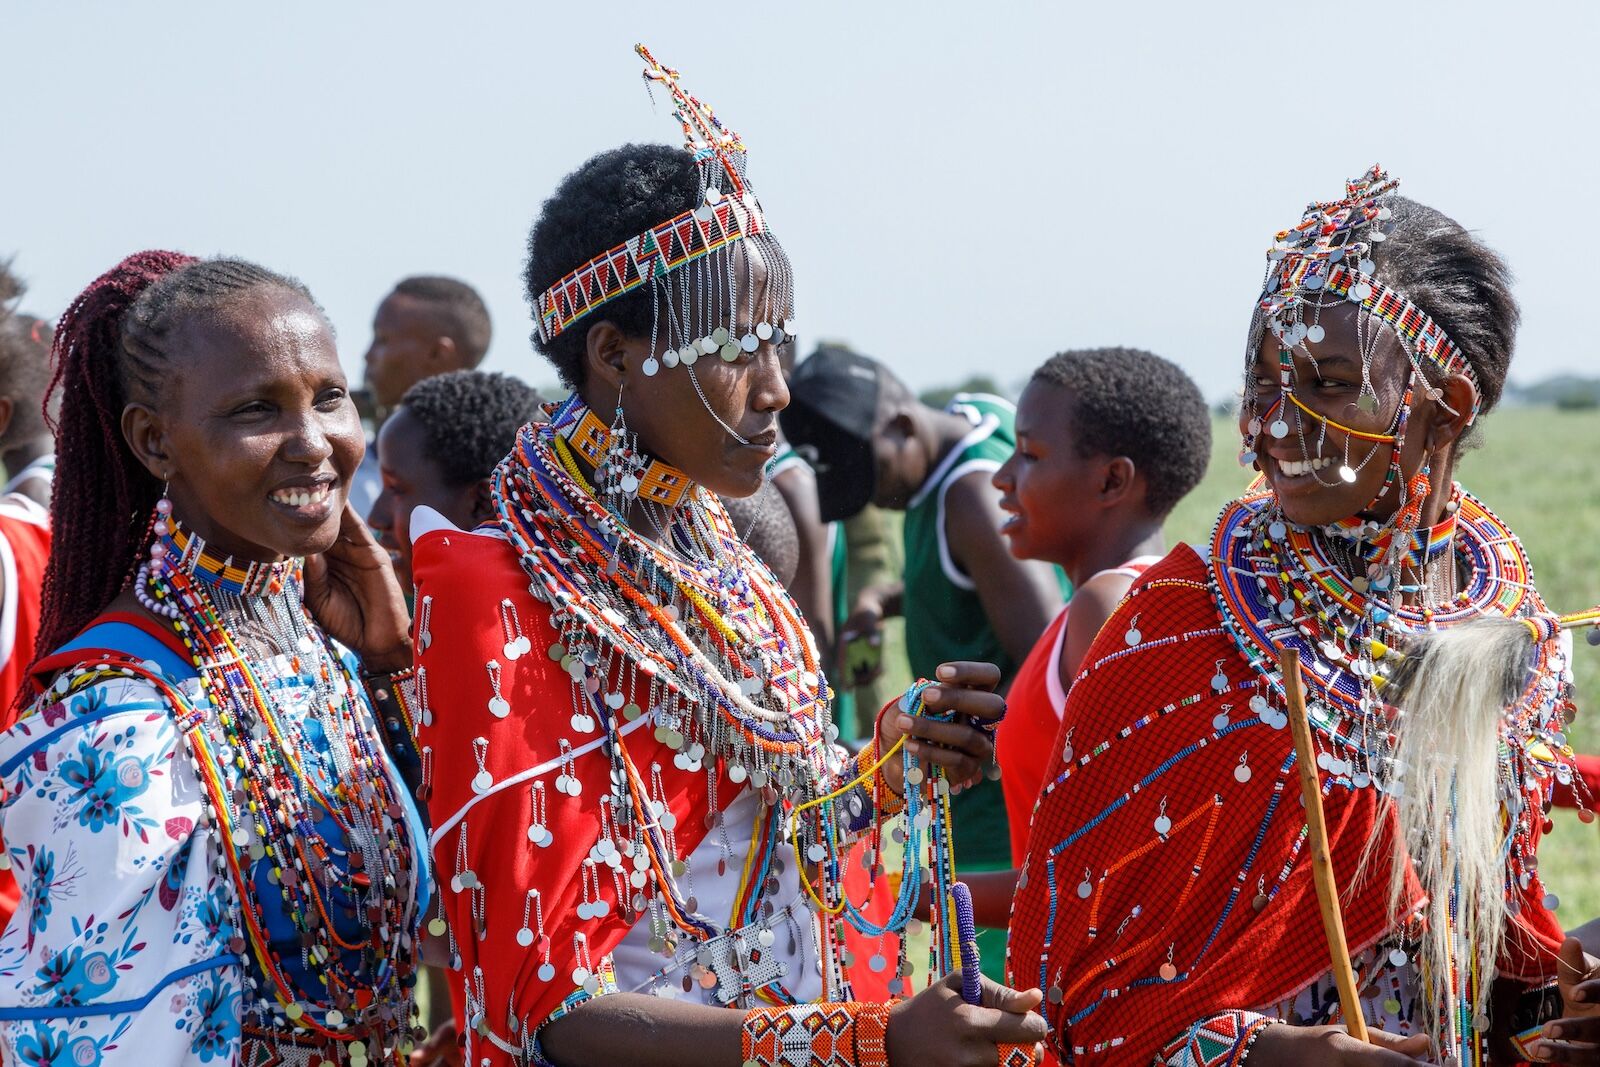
(428, 326)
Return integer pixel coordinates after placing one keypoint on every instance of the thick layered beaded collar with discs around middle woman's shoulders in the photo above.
(729, 663)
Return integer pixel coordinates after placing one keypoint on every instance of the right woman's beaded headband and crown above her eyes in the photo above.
(1329, 252)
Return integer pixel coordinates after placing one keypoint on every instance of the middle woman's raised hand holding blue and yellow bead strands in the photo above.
(962, 749)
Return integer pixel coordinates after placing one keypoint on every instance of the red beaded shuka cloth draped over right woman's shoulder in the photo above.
(1145, 748)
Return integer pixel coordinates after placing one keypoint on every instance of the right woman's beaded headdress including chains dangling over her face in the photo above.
(1321, 263)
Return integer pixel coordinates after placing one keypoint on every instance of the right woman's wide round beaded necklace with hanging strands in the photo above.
(1278, 585)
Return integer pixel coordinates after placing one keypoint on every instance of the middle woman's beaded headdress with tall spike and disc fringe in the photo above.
(686, 258)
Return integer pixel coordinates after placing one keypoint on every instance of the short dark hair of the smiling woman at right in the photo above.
(1460, 282)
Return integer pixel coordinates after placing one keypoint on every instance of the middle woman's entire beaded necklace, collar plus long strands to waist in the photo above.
(732, 674)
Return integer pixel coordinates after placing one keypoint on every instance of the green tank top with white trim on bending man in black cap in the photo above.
(945, 618)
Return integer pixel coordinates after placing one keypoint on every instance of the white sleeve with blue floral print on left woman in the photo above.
(121, 949)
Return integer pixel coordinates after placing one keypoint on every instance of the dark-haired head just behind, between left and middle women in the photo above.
(439, 449)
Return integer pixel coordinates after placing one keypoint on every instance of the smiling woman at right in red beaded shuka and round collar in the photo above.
(1167, 906)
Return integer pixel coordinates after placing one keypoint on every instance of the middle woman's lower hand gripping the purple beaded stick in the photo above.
(938, 1028)
